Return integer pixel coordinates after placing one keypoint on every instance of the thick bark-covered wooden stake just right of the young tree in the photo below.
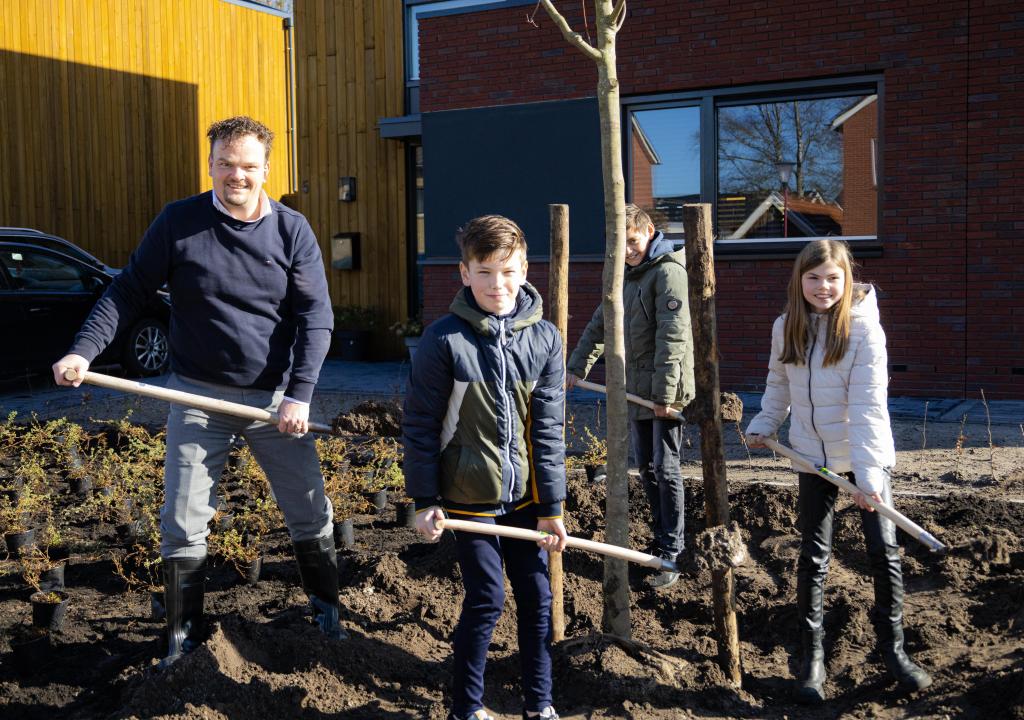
(701, 271)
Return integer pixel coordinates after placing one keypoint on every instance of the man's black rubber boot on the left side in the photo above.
(185, 585)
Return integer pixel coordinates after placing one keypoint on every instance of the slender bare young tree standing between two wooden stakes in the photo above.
(610, 18)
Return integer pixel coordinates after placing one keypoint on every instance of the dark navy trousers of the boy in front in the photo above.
(481, 560)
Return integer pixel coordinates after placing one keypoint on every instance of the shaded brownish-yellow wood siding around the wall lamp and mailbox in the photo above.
(350, 66)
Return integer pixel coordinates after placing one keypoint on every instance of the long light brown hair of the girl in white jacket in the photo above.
(798, 323)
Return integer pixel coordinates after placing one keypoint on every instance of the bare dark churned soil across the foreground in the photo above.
(965, 624)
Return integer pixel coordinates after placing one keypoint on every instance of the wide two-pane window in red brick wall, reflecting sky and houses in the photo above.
(796, 163)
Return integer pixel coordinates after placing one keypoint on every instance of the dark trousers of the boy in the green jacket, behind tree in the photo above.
(657, 445)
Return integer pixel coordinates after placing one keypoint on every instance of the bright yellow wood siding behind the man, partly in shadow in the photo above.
(106, 104)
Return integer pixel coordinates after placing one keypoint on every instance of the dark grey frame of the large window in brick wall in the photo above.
(711, 102)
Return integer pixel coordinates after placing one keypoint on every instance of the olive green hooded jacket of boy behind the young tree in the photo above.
(659, 338)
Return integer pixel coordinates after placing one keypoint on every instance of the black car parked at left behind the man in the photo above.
(46, 295)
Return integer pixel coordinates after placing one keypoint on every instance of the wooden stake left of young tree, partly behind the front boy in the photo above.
(559, 313)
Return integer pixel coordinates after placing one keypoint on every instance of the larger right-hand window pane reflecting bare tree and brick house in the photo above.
(832, 189)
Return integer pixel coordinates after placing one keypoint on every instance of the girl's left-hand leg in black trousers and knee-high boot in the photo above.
(818, 498)
